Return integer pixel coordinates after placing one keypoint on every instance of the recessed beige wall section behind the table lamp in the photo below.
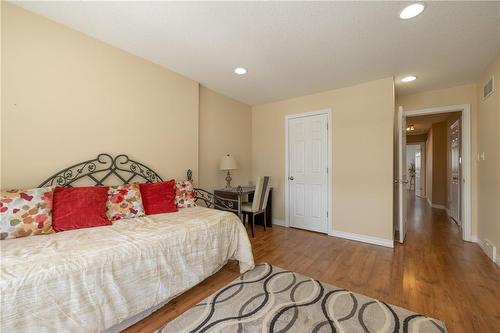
(225, 127)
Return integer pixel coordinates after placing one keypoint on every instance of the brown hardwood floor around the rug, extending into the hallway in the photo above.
(434, 272)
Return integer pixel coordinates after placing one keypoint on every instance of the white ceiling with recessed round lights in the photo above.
(294, 48)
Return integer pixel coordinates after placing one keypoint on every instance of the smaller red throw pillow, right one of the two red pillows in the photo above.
(158, 197)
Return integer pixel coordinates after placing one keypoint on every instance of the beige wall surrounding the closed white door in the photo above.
(362, 153)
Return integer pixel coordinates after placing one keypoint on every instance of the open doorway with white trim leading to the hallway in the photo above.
(433, 162)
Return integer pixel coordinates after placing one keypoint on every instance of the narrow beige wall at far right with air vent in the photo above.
(489, 168)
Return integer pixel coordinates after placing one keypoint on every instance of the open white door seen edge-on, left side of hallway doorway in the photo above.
(400, 180)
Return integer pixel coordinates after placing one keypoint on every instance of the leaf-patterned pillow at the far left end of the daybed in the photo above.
(26, 212)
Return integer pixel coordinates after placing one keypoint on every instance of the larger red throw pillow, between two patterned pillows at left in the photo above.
(79, 207)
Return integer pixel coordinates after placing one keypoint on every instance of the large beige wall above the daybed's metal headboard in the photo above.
(67, 96)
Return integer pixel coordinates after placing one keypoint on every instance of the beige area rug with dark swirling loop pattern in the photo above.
(270, 299)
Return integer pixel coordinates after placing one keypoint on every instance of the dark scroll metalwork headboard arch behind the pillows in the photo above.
(101, 168)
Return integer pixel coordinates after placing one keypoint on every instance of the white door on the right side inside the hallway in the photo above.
(454, 171)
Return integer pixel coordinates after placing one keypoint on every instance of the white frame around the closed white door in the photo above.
(329, 148)
